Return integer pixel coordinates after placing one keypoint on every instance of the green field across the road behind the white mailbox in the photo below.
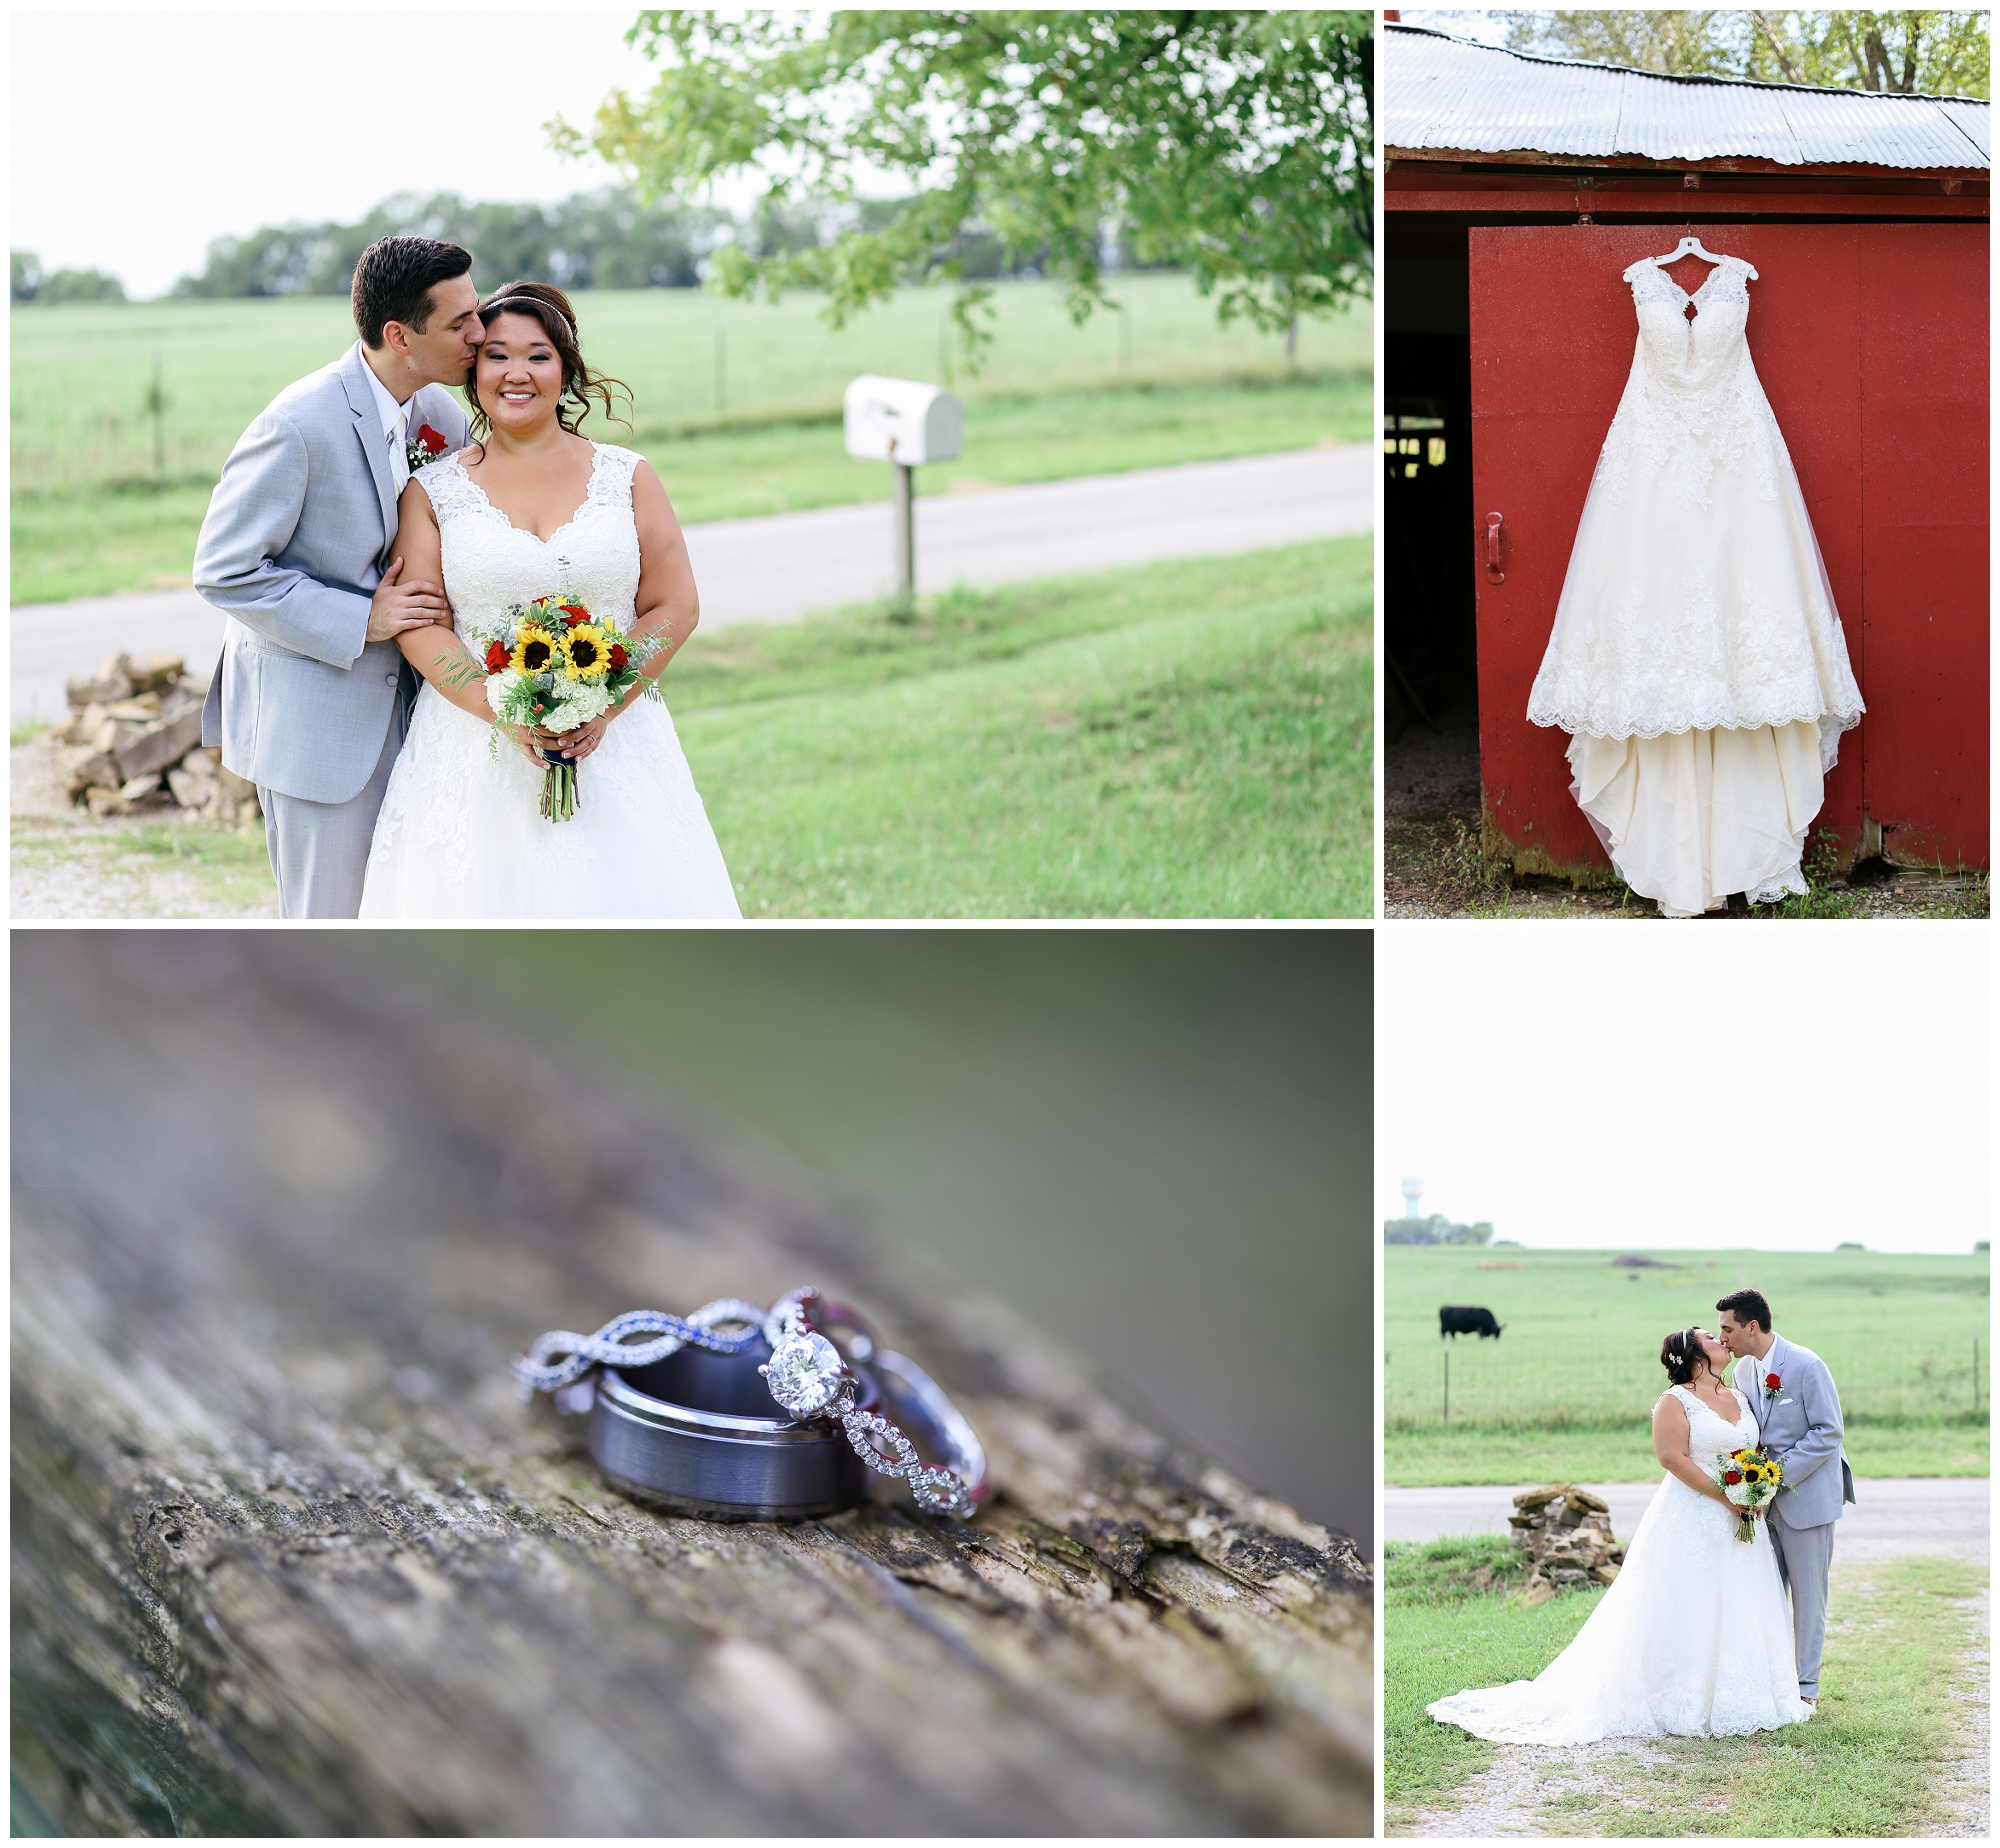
(95, 509)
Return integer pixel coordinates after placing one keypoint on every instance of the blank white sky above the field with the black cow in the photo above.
(1693, 1087)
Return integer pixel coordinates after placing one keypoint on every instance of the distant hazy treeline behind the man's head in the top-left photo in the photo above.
(605, 239)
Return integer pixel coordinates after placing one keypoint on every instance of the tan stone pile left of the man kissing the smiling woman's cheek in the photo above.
(135, 741)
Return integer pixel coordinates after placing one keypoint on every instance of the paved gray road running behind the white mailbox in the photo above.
(781, 567)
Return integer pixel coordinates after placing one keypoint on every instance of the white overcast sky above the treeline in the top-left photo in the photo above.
(141, 135)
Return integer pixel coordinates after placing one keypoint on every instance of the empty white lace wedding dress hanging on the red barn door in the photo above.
(1697, 657)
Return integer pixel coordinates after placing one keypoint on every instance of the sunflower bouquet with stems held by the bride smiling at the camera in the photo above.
(555, 665)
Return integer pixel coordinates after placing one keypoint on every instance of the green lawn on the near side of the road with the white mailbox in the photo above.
(1187, 739)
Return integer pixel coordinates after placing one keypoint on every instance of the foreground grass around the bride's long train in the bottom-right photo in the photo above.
(1899, 1661)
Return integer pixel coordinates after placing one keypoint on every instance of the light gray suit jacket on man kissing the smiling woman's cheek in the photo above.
(295, 543)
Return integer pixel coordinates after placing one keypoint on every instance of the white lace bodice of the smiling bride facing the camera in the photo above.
(491, 563)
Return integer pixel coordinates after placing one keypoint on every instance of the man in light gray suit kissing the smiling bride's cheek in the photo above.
(313, 695)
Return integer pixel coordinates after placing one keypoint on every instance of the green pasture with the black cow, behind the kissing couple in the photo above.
(1569, 1389)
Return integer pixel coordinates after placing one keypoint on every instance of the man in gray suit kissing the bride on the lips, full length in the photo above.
(1799, 1421)
